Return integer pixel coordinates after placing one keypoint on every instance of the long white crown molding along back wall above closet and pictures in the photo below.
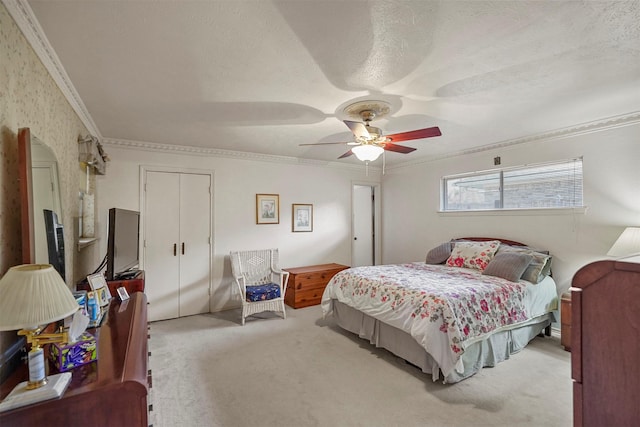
(229, 154)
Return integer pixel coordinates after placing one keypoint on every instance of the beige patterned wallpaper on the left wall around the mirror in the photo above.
(30, 98)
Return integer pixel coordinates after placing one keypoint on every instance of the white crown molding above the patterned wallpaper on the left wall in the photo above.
(27, 22)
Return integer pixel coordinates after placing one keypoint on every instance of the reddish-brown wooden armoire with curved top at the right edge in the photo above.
(605, 344)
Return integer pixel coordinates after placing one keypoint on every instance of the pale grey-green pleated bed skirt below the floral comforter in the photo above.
(486, 353)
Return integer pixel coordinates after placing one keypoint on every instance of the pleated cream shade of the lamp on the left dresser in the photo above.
(33, 295)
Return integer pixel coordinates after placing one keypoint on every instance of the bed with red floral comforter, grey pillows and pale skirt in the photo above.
(471, 305)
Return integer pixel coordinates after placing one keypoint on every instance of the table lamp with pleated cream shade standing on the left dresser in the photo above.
(31, 297)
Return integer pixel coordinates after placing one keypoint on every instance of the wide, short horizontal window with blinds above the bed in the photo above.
(546, 186)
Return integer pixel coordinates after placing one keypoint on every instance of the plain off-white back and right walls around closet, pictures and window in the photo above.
(411, 224)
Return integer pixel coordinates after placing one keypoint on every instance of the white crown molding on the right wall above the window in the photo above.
(562, 133)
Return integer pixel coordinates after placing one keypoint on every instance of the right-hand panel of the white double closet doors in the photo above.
(195, 242)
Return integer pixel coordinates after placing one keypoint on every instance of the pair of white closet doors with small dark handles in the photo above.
(177, 243)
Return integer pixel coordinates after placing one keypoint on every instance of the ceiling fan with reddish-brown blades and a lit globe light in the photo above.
(370, 142)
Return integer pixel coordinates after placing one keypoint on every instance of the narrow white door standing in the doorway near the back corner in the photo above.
(363, 249)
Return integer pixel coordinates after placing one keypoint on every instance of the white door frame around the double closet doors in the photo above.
(170, 169)
